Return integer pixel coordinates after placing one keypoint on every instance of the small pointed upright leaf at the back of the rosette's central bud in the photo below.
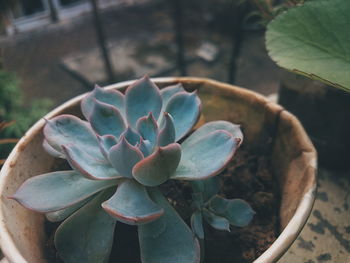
(148, 128)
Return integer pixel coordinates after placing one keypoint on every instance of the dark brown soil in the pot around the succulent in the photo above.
(248, 177)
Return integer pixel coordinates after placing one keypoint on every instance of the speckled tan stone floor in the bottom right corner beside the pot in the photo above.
(326, 235)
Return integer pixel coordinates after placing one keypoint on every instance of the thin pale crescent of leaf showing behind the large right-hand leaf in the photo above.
(210, 127)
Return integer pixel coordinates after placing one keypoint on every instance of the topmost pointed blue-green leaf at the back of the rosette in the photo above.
(142, 97)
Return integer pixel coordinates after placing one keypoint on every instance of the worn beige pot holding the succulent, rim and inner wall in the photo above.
(22, 235)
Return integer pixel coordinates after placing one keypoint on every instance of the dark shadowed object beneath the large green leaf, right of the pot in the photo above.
(324, 112)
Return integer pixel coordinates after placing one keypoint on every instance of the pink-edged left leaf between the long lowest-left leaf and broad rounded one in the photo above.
(87, 165)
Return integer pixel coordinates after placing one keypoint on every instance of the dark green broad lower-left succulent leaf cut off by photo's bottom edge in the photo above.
(87, 235)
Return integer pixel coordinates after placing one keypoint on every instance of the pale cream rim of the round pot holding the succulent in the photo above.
(272, 254)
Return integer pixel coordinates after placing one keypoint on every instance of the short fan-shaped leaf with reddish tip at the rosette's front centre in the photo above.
(132, 205)
